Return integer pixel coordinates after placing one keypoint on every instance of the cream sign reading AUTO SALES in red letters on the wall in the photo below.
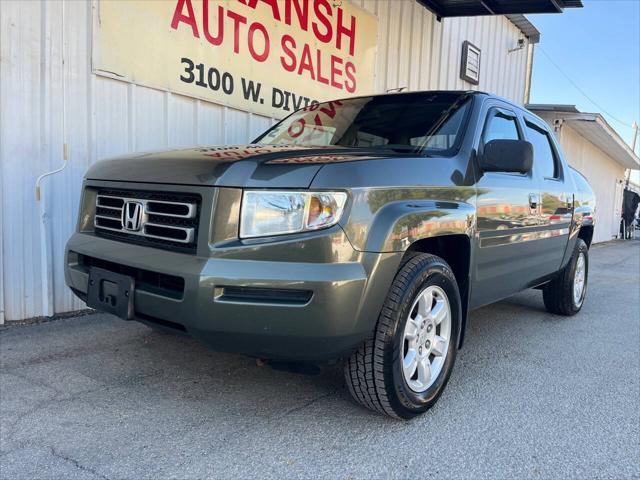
(265, 56)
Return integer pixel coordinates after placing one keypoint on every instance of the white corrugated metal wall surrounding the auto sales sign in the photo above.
(106, 117)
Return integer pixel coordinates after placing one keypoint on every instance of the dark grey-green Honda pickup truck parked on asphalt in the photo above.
(363, 229)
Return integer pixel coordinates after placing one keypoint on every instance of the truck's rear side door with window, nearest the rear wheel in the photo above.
(556, 194)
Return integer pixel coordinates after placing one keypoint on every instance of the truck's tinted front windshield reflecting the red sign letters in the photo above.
(427, 123)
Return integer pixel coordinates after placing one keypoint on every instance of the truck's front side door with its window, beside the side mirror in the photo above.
(507, 218)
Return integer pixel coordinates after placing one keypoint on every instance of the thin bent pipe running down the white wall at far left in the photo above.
(46, 262)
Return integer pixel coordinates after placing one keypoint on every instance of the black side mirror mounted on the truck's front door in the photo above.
(513, 156)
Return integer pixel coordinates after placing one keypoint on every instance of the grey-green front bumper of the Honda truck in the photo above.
(340, 312)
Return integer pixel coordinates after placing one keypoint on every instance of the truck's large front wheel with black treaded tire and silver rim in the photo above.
(422, 288)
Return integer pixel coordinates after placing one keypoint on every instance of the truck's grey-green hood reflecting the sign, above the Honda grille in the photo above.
(252, 166)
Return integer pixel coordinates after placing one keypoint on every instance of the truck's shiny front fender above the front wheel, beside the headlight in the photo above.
(396, 225)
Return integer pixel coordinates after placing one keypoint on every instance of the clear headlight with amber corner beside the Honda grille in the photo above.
(266, 213)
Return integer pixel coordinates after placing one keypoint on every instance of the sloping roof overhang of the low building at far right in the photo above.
(594, 128)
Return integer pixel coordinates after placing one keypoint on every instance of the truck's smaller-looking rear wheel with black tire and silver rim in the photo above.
(559, 295)
